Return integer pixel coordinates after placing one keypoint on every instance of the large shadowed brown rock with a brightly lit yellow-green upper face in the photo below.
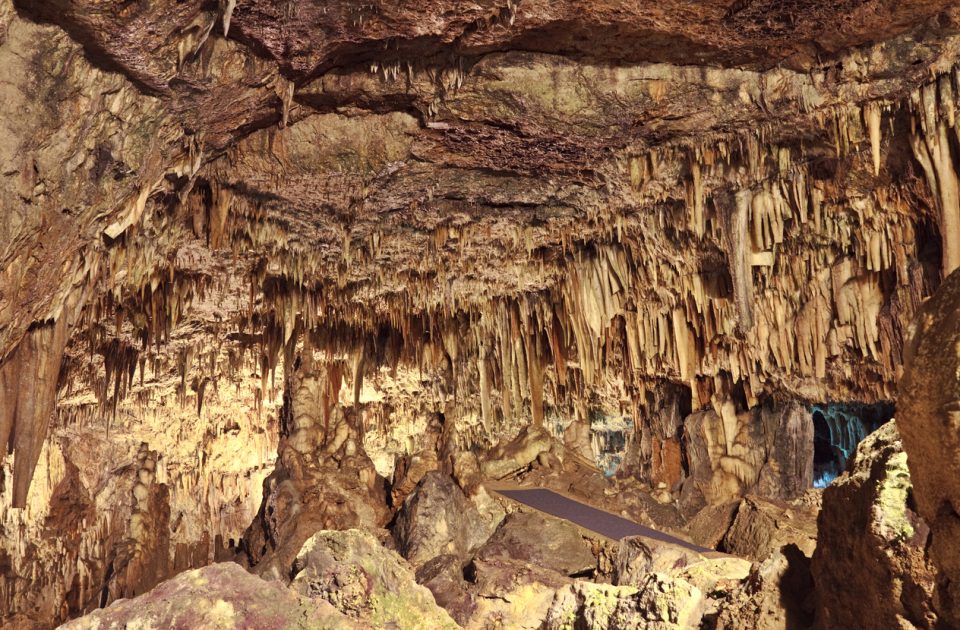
(871, 566)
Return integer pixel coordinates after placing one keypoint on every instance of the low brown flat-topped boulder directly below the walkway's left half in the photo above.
(541, 541)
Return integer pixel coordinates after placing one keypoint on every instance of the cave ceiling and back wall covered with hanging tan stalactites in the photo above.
(462, 219)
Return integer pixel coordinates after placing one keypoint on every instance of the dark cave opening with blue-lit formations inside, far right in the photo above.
(837, 430)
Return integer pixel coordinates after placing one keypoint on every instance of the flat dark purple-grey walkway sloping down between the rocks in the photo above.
(590, 518)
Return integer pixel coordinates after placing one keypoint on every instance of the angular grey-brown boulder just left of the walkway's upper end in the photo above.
(438, 519)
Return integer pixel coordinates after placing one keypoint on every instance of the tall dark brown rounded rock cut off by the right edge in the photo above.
(929, 412)
